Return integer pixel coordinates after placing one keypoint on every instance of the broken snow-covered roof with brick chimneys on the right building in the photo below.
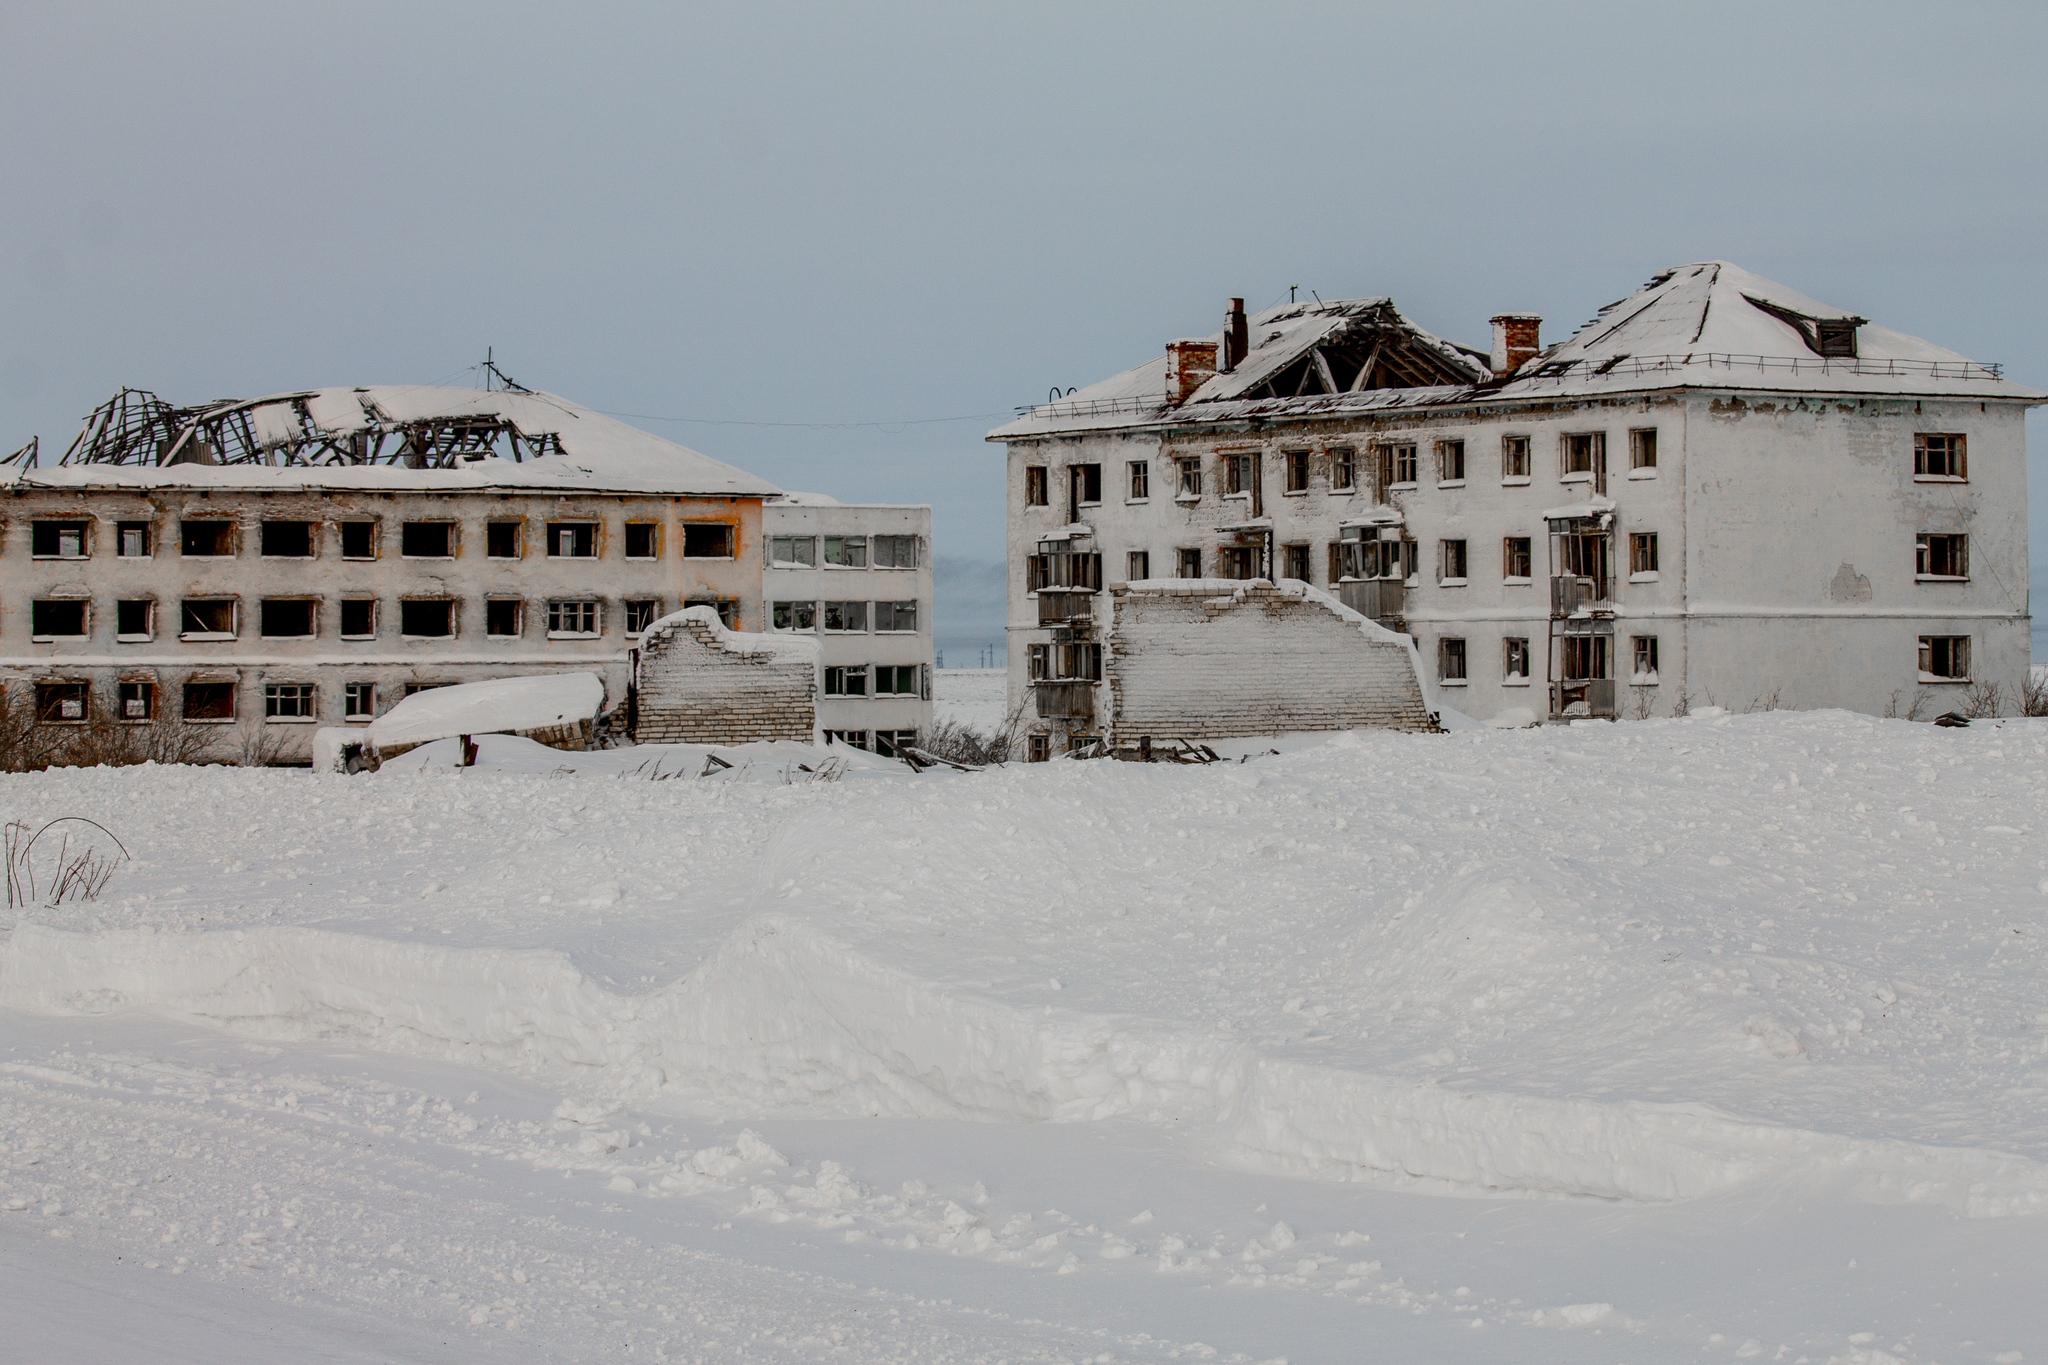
(1703, 326)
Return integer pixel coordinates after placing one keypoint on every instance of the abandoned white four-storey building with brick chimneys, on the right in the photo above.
(1717, 492)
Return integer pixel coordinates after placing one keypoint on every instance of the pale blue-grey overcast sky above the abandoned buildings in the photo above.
(779, 222)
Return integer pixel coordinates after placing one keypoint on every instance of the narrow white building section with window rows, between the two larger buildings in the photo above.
(871, 619)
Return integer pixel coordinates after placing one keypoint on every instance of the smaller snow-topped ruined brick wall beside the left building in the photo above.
(712, 687)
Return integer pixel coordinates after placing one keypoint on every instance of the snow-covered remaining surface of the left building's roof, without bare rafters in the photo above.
(597, 453)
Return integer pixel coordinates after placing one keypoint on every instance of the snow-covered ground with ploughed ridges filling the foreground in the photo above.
(1711, 1039)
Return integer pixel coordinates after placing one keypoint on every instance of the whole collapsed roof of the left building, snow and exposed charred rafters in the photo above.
(380, 439)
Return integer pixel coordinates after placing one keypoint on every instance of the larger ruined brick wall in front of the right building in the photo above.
(1213, 660)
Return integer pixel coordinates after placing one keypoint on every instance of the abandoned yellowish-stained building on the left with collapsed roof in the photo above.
(312, 558)
